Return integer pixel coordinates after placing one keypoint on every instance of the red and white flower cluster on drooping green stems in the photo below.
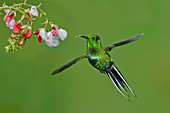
(22, 28)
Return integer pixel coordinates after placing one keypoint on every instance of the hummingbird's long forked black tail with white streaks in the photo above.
(119, 81)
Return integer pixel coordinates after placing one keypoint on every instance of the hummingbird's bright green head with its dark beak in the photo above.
(93, 41)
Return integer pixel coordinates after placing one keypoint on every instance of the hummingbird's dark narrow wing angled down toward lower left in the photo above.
(68, 65)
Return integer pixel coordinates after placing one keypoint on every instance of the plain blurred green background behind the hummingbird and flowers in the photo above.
(26, 84)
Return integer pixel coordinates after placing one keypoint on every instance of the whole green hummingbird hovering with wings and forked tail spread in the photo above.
(99, 58)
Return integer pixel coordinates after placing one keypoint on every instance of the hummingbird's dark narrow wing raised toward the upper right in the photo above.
(109, 48)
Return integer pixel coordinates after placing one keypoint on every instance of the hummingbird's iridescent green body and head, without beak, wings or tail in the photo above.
(97, 56)
